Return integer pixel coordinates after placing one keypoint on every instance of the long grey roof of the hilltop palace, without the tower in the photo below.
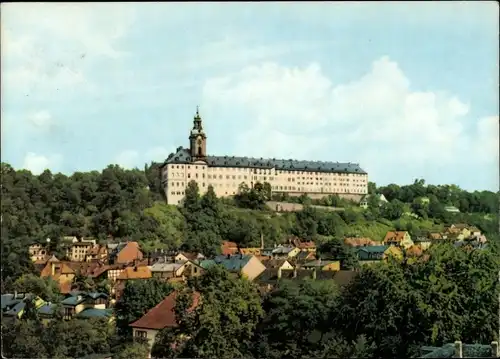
(183, 156)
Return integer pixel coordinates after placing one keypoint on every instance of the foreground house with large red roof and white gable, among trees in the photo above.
(160, 317)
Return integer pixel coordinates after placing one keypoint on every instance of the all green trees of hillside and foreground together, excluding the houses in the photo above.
(390, 309)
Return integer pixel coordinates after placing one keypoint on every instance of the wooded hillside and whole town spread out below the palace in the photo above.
(103, 253)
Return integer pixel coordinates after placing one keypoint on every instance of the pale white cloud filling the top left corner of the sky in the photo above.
(48, 47)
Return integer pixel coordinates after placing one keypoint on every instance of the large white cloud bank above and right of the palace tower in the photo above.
(377, 120)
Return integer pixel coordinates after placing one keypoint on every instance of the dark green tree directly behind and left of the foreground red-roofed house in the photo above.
(138, 297)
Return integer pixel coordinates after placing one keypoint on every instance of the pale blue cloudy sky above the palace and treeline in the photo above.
(407, 90)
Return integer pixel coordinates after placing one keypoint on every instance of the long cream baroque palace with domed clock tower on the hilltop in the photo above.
(226, 173)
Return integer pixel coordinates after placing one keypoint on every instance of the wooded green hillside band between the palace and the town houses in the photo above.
(121, 204)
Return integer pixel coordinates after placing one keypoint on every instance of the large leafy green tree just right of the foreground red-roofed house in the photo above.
(223, 324)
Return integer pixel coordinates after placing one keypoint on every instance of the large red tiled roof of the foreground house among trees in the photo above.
(163, 314)
